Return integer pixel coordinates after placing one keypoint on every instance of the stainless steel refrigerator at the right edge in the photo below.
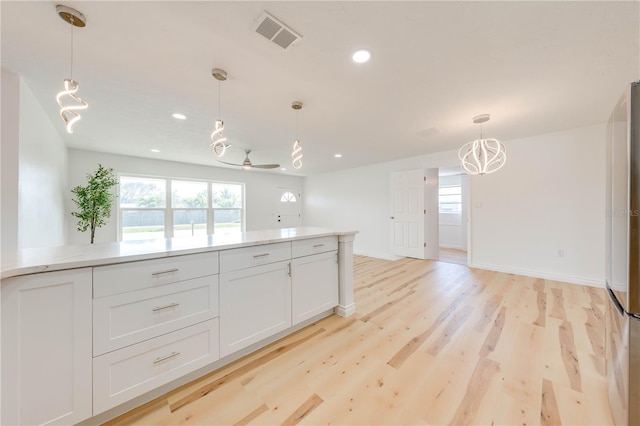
(623, 257)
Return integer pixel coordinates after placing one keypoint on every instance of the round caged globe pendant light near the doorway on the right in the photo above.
(482, 156)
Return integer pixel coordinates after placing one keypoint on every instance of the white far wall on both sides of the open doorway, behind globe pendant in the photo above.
(537, 204)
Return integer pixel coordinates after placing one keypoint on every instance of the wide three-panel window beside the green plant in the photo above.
(191, 208)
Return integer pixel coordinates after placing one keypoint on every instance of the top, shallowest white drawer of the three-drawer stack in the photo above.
(123, 277)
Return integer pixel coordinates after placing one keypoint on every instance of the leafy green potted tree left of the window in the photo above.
(94, 200)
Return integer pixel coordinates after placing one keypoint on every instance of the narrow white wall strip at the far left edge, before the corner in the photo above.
(10, 141)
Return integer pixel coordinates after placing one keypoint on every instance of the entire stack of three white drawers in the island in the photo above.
(153, 322)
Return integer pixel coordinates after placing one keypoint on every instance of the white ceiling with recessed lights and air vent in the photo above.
(536, 67)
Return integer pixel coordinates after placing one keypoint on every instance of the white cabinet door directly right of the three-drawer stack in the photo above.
(255, 303)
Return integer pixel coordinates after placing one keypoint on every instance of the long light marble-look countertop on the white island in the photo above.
(31, 261)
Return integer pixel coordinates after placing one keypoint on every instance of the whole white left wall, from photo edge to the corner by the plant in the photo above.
(34, 171)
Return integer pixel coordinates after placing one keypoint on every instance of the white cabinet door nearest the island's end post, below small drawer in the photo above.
(314, 283)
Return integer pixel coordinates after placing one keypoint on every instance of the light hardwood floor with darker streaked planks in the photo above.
(431, 343)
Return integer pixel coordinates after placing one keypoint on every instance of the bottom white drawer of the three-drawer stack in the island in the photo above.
(129, 372)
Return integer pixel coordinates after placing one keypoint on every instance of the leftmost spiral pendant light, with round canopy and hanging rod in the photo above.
(69, 112)
